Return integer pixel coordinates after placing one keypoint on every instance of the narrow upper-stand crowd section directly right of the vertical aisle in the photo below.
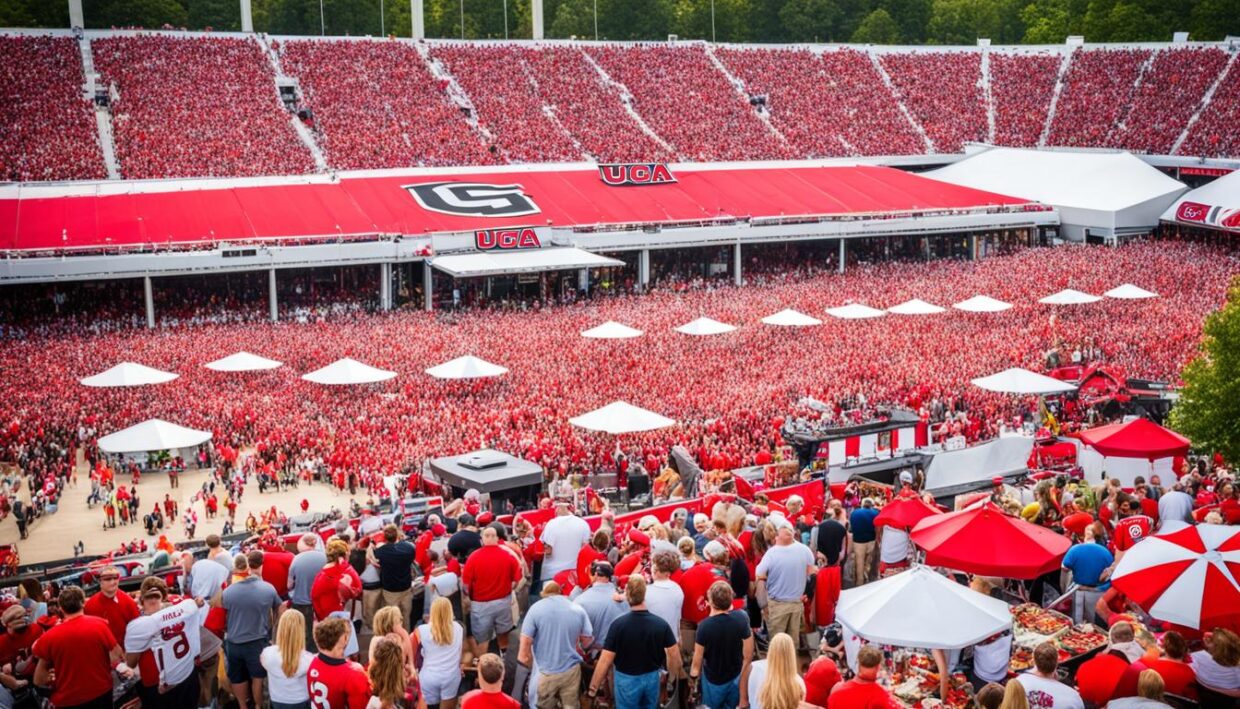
(1021, 90)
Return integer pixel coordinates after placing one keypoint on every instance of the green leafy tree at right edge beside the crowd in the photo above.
(1208, 411)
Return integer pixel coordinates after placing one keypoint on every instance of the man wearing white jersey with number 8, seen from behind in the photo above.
(172, 634)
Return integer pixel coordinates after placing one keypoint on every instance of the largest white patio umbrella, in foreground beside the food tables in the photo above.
(921, 608)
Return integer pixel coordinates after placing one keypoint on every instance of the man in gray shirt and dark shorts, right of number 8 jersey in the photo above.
(252, 606)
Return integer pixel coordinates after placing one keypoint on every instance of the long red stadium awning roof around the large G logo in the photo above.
(185, 213)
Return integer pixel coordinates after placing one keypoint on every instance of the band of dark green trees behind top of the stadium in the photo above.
(916, 22)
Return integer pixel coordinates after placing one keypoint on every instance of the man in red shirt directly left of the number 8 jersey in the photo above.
(82, 653)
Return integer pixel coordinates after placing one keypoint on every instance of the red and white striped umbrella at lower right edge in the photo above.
(1190, 577)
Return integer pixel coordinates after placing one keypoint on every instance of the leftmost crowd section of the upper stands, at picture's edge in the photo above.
(49, 126)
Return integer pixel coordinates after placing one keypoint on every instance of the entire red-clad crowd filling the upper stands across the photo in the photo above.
(394, 105)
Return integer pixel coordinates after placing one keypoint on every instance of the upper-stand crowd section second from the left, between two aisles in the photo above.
(189, 107)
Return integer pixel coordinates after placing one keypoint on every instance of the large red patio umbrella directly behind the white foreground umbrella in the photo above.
(984, 540)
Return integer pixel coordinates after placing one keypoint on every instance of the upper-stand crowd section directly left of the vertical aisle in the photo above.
(944, 94)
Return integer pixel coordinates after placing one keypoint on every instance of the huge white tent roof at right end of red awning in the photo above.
(1105, 194)
